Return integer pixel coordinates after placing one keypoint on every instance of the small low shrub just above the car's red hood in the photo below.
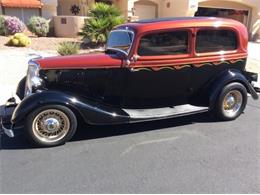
(68, 48)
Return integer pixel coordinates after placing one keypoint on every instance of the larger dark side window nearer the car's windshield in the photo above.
(166, 43)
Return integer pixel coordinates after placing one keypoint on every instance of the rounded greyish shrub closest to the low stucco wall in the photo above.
(39, 26)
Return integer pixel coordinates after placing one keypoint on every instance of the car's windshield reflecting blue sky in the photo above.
(120, 40)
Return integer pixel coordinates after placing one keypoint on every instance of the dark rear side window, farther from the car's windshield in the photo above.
(215, 41)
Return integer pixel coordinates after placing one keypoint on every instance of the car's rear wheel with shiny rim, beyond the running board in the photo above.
(231, 101)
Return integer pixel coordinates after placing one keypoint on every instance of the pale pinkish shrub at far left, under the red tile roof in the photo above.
(13, 25)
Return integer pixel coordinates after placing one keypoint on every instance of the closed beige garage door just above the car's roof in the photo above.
(145, 11)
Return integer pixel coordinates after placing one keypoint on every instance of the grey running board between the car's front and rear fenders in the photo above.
(167, 112)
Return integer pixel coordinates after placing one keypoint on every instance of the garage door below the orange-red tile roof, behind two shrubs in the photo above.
(23, 14)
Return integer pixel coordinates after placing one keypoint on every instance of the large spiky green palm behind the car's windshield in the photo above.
(103, 19)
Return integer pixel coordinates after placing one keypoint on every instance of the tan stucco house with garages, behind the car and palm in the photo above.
(245, 11)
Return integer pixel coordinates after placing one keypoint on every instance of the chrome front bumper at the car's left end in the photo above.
(6, 112)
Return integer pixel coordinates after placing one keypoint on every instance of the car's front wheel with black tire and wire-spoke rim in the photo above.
(50, 125)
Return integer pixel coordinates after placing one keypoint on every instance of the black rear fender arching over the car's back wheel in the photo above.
(226, 78)
